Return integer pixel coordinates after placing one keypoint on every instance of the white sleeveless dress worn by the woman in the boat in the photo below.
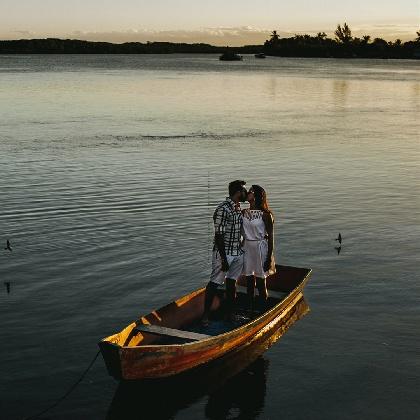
(255, 244)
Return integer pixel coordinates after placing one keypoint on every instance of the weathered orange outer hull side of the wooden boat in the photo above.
(157, 361)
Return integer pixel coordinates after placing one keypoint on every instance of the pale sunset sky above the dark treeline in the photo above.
(227, 22)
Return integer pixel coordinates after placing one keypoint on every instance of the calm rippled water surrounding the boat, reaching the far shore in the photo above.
(110, 169)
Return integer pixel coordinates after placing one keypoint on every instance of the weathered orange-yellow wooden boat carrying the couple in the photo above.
(171, 340)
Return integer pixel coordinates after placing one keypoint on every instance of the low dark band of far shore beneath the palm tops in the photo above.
(286, 47)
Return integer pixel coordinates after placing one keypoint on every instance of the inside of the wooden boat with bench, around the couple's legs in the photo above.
(179, 322)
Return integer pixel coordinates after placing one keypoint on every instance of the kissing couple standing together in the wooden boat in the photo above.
(243, 246)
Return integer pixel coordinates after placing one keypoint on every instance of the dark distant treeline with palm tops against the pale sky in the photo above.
(344, 45)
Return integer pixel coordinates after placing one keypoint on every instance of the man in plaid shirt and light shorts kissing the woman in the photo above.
(227, 257)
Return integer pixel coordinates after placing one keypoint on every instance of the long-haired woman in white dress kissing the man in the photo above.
(258, 243)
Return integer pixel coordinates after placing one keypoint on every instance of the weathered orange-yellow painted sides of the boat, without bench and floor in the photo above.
(130, 354)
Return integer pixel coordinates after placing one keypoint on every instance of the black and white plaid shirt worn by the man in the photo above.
(227, 220)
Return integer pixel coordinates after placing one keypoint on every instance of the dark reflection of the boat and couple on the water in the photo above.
(235, 382)
